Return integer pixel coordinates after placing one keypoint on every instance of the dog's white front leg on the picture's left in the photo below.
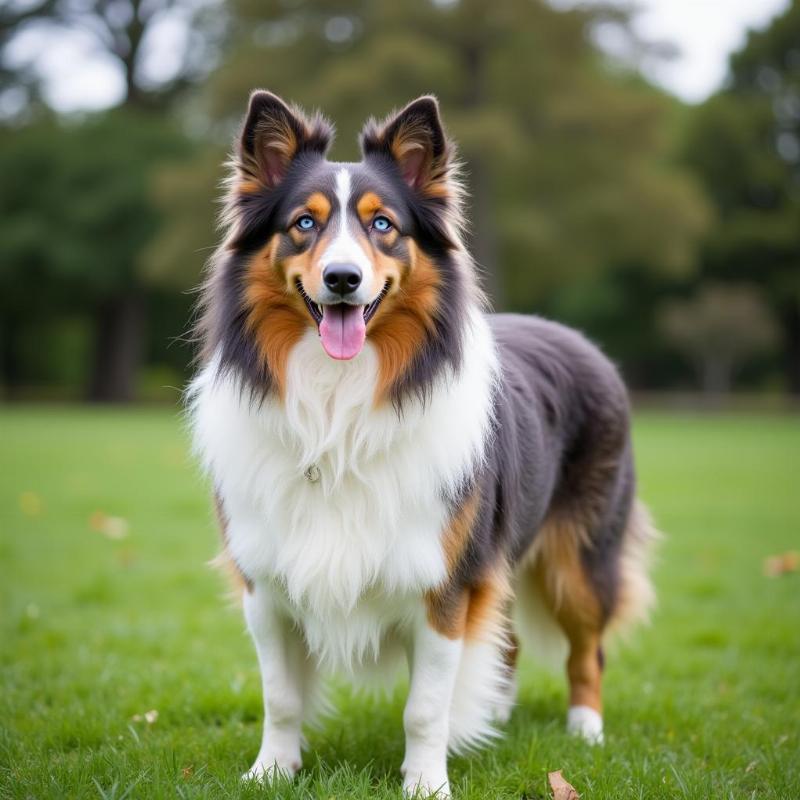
(284, 676)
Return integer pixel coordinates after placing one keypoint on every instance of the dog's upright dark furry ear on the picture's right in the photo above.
(415, 140)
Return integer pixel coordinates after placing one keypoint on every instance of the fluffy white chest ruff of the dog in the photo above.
(349, 556)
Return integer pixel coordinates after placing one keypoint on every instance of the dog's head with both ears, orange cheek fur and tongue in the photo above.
(355, 251)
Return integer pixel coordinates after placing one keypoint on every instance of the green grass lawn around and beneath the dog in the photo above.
(705, 703)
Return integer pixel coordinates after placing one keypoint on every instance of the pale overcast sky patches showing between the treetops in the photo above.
(704, 32)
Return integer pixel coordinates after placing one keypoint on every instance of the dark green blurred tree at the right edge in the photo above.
(744, 144)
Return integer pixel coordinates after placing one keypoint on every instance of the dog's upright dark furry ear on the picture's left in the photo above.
(274, 134)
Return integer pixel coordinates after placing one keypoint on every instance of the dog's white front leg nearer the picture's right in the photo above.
(434, 662)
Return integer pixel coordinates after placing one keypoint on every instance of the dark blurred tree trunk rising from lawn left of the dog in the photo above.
(118, 337)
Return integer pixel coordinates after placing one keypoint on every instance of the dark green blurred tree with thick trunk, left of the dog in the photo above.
(75, 210)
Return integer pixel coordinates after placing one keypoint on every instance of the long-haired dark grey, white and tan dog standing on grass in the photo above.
(399, 474)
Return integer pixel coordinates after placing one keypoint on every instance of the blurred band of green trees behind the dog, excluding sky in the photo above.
(669, 233)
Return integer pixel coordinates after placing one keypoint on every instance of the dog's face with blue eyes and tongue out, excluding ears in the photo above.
(340, 247)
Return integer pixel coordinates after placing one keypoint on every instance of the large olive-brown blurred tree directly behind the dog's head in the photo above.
(566, 160)
